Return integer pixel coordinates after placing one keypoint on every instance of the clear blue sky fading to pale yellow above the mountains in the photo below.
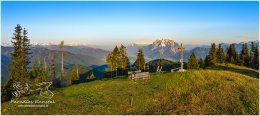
(111, 23)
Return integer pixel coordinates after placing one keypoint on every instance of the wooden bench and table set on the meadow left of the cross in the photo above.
(138, 75)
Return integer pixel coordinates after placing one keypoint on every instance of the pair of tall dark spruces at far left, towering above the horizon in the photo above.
(20, 59)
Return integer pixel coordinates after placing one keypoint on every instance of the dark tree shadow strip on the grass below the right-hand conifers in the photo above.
(245, 71)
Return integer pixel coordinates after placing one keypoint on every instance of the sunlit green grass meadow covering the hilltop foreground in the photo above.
(225, 89)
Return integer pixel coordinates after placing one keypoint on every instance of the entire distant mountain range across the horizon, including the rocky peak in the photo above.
(85, 55)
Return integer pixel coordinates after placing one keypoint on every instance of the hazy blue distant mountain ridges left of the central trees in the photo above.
(41, 53)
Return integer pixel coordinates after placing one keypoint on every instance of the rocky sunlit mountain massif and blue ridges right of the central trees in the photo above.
(168, 49)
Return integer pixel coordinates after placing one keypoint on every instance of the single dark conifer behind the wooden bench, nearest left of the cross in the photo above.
(139, 64)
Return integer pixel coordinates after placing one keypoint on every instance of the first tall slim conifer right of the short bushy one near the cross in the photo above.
(213, 54)
